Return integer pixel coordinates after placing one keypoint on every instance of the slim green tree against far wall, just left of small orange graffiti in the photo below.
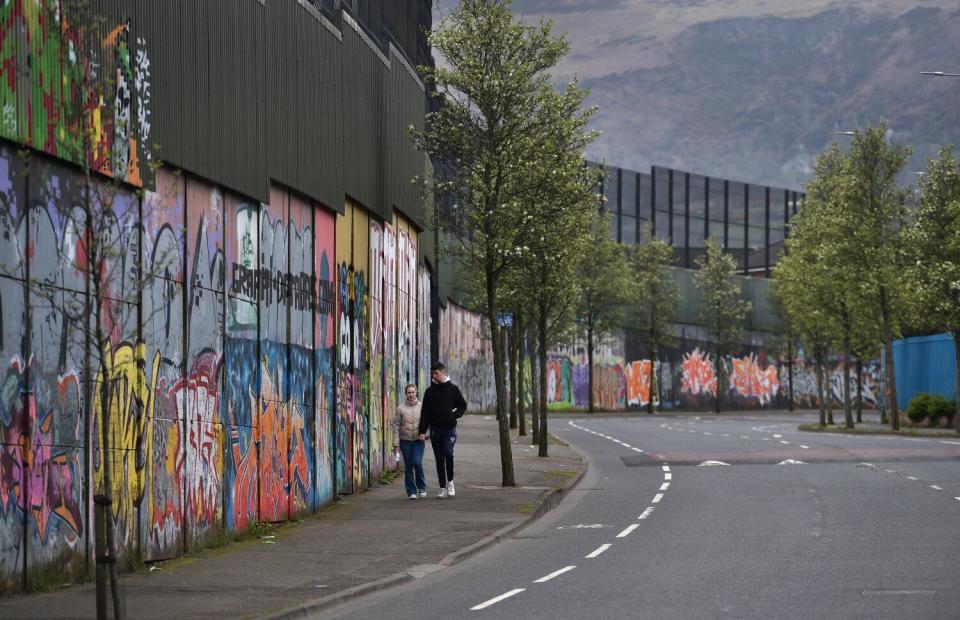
(603, 278)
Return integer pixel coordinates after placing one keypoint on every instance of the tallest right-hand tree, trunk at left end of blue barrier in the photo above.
(871, 239)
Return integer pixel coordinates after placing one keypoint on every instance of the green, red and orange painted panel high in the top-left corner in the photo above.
(53, 89)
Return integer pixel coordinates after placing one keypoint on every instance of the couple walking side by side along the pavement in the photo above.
(442, 406)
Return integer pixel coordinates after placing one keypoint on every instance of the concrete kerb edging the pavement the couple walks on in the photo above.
(547, 501)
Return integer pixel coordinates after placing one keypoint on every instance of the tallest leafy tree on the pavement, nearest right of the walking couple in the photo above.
(493, 90)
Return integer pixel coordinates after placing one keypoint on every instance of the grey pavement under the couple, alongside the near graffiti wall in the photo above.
(363, 543)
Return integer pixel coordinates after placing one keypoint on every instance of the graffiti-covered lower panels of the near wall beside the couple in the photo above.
(238, 346)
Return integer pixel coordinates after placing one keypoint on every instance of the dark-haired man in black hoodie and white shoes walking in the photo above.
(443, 405)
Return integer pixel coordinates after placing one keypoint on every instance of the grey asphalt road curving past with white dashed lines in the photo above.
(719, 517)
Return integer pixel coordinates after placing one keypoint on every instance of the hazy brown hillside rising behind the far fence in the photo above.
(753, 90)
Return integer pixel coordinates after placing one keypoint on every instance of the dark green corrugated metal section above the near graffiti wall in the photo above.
(244, 93)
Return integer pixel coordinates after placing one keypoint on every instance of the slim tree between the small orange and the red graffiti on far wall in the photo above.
(656, 297)
